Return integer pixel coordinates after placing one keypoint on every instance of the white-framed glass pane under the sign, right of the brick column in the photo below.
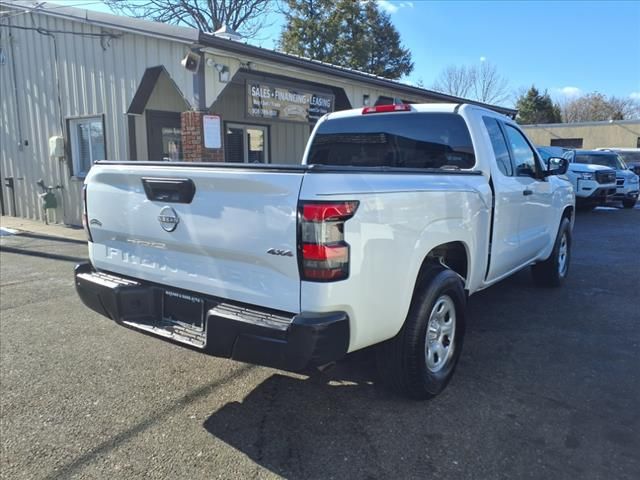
(246, 144)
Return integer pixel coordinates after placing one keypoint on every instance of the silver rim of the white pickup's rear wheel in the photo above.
(441, 330)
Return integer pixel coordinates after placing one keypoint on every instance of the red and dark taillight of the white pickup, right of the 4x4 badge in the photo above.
(323, 253)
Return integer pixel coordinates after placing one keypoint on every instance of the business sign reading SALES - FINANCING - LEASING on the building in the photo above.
(284, 103)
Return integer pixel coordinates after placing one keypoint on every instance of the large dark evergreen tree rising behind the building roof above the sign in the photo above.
(347, 33)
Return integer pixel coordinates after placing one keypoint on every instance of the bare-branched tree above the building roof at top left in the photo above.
(246, 17)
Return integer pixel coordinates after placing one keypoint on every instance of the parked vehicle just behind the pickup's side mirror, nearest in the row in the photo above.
(593, 184)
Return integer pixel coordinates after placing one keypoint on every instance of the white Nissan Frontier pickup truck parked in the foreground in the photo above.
(396, 214)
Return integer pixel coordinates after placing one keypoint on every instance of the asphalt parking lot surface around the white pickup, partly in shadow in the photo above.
(548, 386)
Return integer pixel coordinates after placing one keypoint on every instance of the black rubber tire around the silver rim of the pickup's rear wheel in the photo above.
(402, 361)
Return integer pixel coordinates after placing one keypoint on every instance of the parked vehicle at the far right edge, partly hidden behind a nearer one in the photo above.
(627, 183)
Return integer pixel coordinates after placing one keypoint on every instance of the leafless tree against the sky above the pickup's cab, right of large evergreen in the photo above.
(482, 83)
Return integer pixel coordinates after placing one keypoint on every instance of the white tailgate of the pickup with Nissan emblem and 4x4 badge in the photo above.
(220, 243)
